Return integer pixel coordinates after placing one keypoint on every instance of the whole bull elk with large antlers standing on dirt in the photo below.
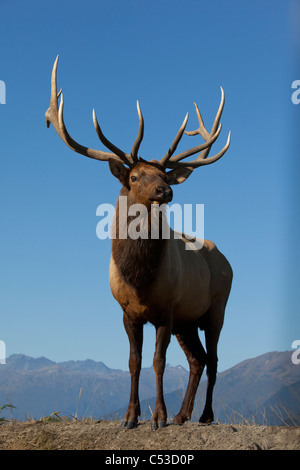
(158, 280)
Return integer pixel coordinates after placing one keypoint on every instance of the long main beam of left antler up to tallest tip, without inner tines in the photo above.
(54, 115)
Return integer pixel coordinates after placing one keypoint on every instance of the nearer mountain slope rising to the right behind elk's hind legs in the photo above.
(262, 390)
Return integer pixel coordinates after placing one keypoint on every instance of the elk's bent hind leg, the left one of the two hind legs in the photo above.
(189, 341)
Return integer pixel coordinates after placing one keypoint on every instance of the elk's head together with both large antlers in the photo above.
(146, 182)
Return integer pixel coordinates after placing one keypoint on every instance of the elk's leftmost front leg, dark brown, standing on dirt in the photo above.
(135, 336)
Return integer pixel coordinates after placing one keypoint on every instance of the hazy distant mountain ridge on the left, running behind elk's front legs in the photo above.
(38, 386)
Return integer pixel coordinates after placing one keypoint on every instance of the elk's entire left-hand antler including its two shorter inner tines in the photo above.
(54, 115)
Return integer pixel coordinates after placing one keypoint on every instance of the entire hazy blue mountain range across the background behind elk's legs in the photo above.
(261, 390)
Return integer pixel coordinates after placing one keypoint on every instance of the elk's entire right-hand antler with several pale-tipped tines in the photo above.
(174, 162)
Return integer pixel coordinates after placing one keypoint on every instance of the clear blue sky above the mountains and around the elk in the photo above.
(55, 298)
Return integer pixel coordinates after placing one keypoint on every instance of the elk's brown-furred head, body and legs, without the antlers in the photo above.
(176, 289)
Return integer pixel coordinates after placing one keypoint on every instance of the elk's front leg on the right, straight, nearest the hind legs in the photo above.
(163, 335)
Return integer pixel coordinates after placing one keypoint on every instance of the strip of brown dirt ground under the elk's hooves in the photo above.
(108, 435)
